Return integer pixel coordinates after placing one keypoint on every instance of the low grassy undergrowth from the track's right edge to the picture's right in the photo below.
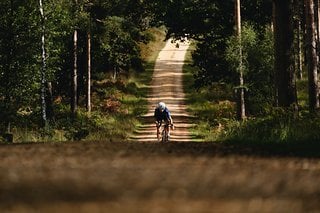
(215, 112)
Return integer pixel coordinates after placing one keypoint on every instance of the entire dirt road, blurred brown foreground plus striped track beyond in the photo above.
(150, 177)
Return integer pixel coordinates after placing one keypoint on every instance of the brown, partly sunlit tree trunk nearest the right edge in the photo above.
(311, 56)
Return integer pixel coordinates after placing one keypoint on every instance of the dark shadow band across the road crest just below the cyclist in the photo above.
(310, 149)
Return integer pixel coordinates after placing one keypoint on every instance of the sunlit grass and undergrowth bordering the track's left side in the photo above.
(117, 104)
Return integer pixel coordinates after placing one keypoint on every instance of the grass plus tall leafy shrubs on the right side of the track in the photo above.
(214, 104)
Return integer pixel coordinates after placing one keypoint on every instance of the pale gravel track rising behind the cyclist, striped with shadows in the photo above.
(167, 86)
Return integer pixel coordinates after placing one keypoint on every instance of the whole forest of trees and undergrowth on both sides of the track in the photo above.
(76, 70)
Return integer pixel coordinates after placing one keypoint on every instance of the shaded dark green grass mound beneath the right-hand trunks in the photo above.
(280, 126)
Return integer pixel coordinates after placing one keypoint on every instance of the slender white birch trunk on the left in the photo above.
(43, 68)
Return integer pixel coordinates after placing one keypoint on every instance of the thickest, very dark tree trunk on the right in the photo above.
(284, 54)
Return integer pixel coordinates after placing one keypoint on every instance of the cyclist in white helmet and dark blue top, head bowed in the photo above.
(162, 113)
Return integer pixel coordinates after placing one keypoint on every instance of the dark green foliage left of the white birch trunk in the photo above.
(18, 69)
